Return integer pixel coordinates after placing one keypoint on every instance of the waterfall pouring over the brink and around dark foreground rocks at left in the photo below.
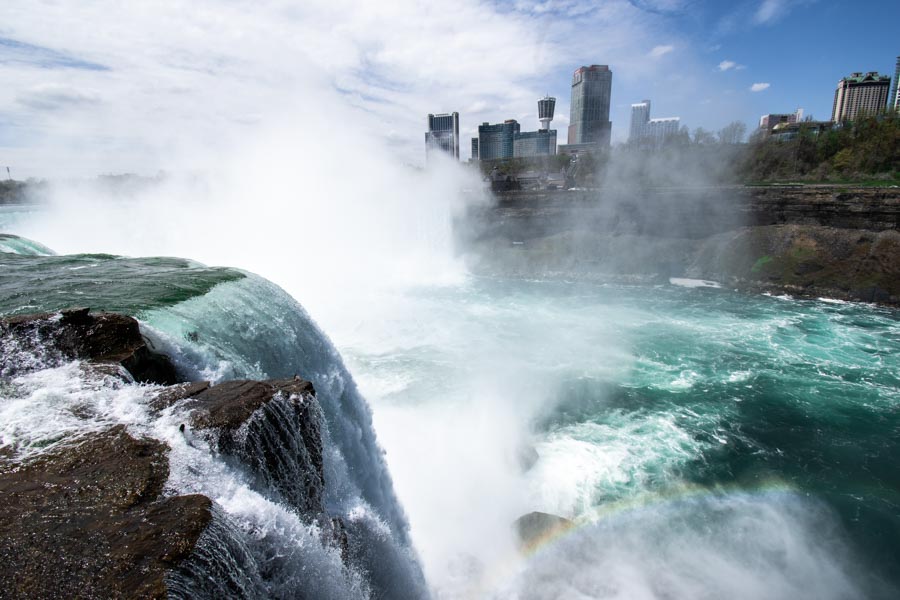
(220, 324)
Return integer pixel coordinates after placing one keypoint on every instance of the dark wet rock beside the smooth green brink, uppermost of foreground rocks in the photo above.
(103, 339)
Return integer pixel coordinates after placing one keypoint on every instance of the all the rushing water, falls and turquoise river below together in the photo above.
(663, 442)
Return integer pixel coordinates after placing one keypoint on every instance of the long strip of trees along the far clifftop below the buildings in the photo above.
(865, 150)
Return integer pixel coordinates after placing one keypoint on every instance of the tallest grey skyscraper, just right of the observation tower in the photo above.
(589, 118)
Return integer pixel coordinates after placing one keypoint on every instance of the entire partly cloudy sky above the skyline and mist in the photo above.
(99, 86)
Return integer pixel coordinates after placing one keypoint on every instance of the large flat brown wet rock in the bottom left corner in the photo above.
(88, 521)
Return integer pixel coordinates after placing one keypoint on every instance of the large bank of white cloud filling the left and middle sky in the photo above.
(204, 76)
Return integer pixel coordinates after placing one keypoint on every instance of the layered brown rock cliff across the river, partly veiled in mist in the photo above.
(803, 240)
